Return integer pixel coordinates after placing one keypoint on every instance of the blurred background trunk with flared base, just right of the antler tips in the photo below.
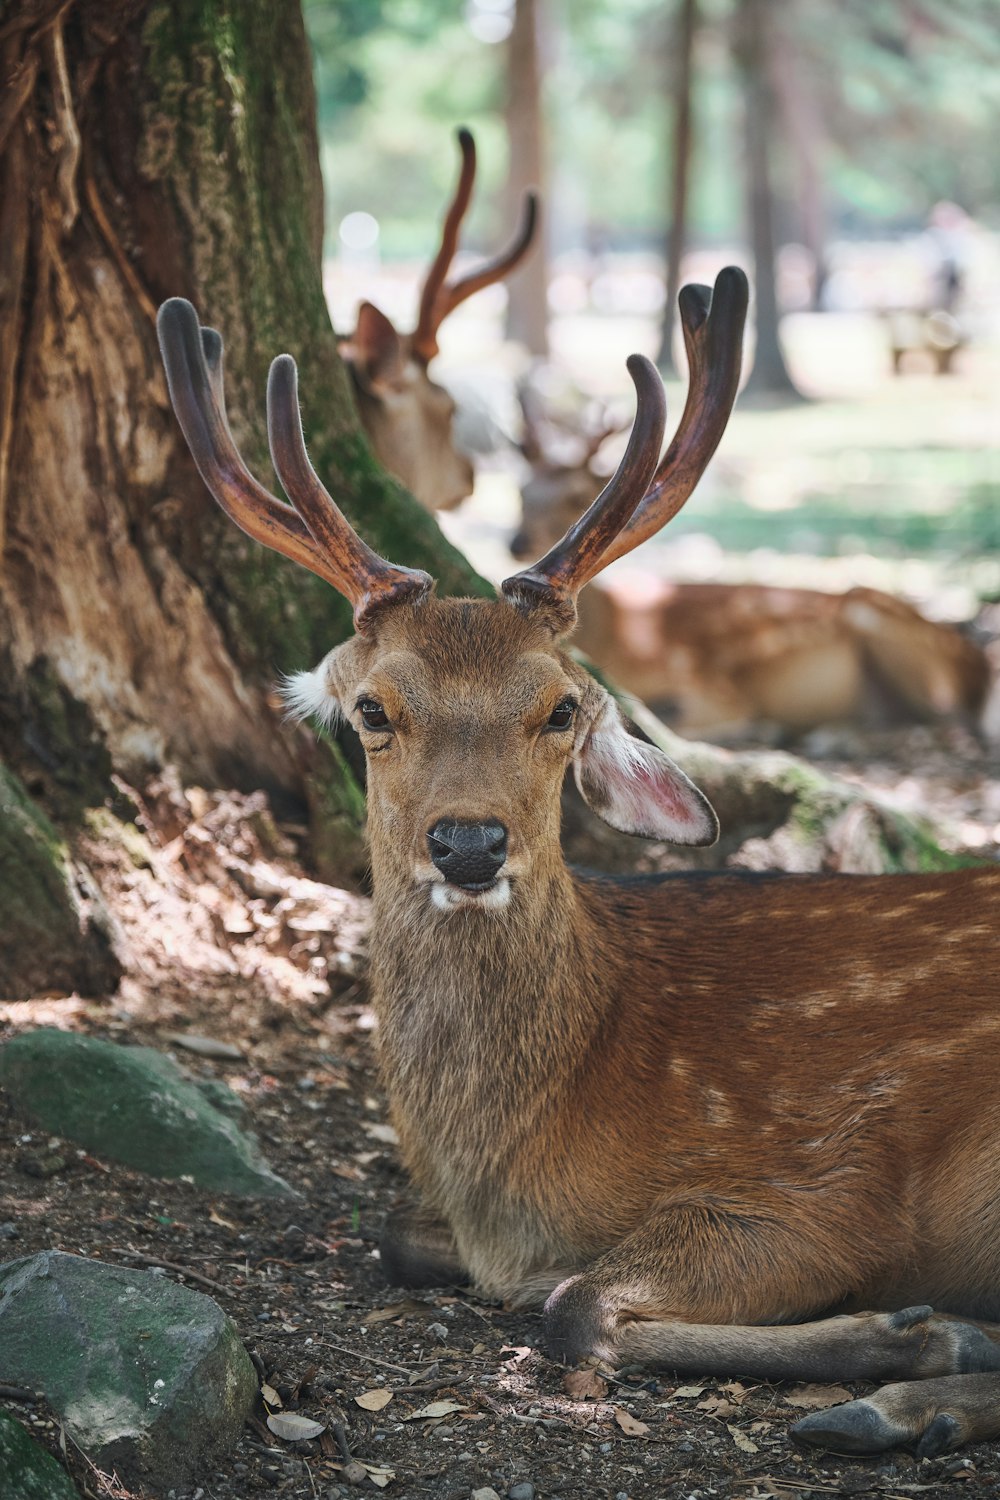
(770, 376)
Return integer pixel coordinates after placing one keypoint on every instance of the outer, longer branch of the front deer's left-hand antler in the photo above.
(193, 359)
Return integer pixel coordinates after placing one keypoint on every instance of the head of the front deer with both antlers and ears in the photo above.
(472, 712)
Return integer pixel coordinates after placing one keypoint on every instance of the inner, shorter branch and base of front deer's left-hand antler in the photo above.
(361, 574)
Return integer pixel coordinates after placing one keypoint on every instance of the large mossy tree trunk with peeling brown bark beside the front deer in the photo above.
(158, 149)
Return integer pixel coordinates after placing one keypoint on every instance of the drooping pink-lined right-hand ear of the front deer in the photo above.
(636, 788)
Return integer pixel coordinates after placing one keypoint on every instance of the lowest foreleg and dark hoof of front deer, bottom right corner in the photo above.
(936, 1415)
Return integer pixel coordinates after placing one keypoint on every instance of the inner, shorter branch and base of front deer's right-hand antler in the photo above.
(558, 578)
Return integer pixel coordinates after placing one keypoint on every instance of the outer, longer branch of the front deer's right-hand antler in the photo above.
(713, 325)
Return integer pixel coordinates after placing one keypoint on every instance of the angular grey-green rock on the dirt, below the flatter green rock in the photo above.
(148, 1378)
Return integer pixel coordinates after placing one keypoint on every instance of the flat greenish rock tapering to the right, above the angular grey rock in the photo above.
(136, 1106)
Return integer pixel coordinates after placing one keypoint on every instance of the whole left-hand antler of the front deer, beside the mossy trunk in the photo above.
(325, 542)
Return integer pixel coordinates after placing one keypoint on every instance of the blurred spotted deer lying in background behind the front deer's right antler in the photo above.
(726, 658)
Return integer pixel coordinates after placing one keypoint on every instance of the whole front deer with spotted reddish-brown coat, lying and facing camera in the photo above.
(705, 1121)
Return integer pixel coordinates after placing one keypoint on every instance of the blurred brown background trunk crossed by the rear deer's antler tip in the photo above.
(528, 289)
